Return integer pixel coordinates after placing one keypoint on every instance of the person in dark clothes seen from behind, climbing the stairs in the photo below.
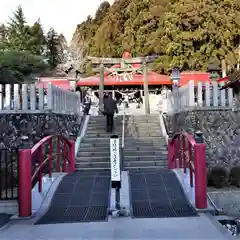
(110, 107)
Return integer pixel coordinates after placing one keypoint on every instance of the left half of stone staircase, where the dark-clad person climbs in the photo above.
(94, 151)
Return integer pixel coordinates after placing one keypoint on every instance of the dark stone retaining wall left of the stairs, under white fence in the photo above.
(36, 126)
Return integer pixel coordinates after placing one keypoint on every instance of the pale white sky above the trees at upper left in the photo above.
(62, 15)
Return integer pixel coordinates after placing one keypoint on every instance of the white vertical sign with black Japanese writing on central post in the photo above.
(115, 159)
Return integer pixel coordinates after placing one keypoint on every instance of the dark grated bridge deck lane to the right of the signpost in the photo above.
(158, 194)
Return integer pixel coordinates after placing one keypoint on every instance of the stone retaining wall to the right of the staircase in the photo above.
(221, 132)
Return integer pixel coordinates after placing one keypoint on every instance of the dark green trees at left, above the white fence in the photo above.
(25, 50)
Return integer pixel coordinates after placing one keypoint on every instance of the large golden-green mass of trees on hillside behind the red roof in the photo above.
(184, 33)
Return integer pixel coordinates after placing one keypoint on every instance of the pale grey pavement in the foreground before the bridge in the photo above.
(122, 228)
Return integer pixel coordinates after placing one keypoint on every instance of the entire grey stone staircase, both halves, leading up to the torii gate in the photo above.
(144, 145)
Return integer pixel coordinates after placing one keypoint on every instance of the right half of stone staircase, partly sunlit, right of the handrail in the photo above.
(144, 147)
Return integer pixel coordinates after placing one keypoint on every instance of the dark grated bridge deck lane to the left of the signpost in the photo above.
(80, 197)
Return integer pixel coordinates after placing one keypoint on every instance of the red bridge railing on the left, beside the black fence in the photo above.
(52, 153)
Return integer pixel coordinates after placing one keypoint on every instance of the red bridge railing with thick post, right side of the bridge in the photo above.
(186, 152)
